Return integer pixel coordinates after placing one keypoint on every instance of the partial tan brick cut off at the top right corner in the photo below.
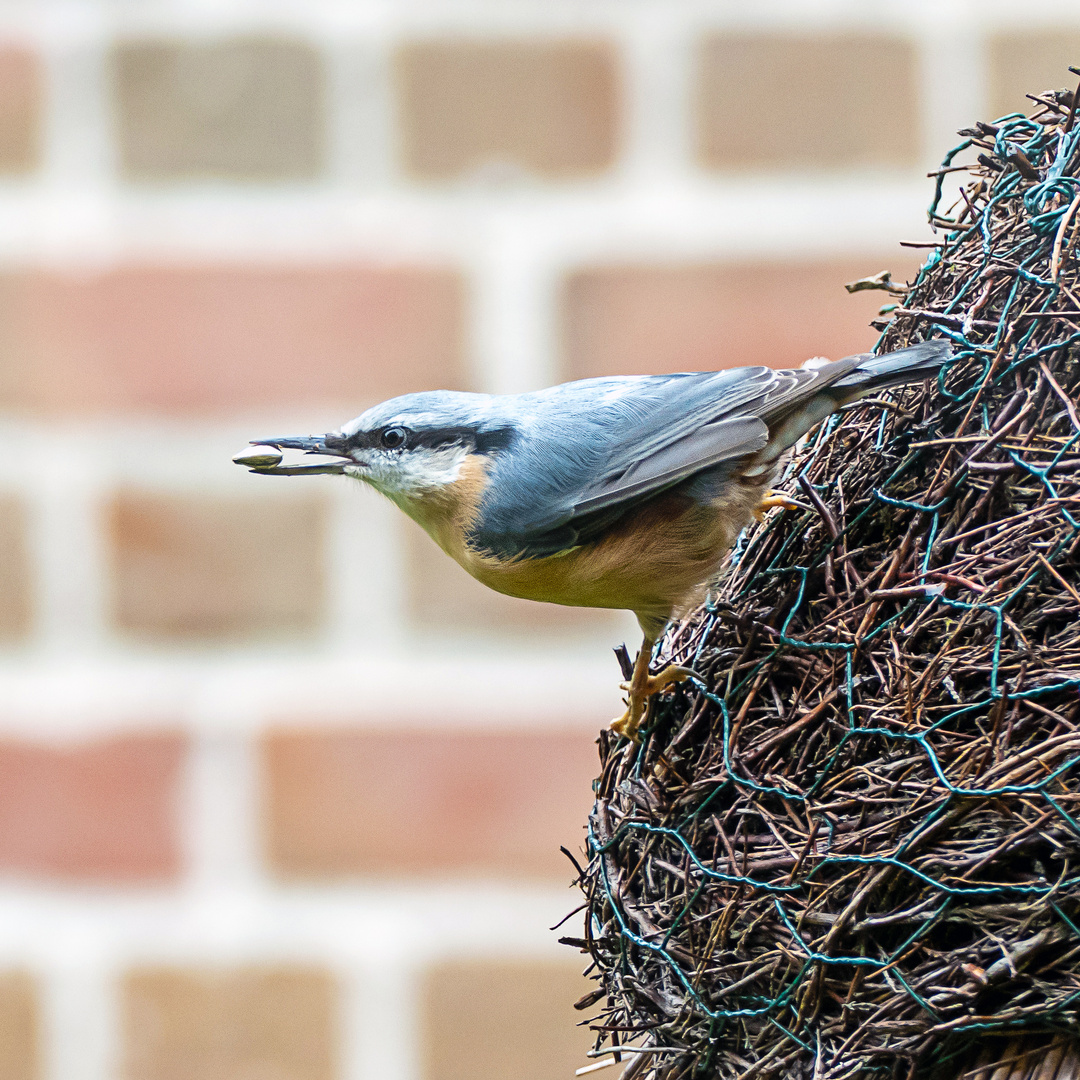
(1029, 63)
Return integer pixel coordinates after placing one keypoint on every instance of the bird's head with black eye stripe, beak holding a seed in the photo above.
(413, 449)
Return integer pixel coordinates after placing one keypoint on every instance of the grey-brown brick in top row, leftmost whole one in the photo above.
(241, 110)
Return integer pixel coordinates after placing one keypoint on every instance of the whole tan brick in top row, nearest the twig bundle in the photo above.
(778, 101)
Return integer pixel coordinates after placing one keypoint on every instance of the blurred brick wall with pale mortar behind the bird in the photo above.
(281, 790)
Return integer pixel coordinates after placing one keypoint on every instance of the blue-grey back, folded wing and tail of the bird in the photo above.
(590, 451)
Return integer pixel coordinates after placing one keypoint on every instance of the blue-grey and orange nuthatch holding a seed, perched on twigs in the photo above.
(623, 492)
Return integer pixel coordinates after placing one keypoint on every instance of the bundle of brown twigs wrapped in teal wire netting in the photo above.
(852, 846)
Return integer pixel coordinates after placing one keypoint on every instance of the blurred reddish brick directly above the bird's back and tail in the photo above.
(634, 320)
